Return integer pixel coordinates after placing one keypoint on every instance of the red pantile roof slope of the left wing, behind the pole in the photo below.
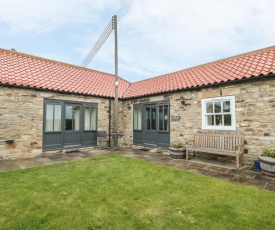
(26, 70)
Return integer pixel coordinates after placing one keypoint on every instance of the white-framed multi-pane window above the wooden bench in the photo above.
(219, 113)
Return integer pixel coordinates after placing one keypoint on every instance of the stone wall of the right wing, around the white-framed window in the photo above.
(255, 113)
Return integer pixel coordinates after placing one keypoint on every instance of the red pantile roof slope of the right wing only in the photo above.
(253, 64)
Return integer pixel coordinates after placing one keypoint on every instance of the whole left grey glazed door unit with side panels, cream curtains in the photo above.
(69, 124)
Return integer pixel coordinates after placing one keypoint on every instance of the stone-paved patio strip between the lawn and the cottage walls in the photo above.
(218, 169)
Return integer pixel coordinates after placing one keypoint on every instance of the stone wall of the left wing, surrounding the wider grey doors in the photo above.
(21, 119)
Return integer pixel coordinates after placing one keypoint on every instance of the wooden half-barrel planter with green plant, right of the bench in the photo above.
(267, 162)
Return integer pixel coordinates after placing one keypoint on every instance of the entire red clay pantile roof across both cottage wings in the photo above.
(25, 70)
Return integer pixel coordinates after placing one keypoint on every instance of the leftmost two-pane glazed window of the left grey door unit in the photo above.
(53, 118)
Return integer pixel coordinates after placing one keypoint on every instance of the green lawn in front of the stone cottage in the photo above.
(116, 192)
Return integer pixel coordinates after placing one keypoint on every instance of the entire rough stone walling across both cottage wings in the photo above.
(21, 115)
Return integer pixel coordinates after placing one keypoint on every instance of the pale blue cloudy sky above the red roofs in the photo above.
(155, 36)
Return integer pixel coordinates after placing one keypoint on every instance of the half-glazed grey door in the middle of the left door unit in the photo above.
(72, 128)
